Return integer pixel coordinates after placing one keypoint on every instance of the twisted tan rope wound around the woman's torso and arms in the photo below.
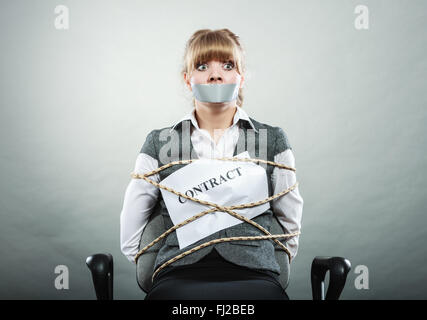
(216, 208)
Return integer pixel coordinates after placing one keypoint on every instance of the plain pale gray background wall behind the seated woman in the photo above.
(77, 104)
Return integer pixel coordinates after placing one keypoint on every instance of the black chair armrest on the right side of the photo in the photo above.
(338, 269)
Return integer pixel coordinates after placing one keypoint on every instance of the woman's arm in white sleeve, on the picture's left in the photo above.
(140, 199)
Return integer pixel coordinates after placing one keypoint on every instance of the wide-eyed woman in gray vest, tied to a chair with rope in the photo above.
(222, 271)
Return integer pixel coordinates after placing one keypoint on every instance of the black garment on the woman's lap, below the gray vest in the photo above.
(214, 278)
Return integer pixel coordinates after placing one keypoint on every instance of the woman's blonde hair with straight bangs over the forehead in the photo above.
(206, 45)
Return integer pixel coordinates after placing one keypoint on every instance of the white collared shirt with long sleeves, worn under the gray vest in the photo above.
(141, 196)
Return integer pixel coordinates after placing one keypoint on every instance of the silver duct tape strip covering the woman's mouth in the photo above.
(215, 92)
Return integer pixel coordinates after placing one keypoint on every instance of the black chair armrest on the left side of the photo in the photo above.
(101, 266)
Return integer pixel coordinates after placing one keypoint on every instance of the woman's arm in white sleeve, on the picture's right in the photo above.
(287, 208)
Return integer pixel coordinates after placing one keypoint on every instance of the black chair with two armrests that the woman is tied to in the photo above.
(101, 266)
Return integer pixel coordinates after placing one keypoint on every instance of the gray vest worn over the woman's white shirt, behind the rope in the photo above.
(166, 146)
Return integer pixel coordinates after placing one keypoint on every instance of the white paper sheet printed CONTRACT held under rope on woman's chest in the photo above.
(235, 183)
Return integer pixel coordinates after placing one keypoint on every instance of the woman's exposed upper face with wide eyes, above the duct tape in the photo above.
(214, 72)
